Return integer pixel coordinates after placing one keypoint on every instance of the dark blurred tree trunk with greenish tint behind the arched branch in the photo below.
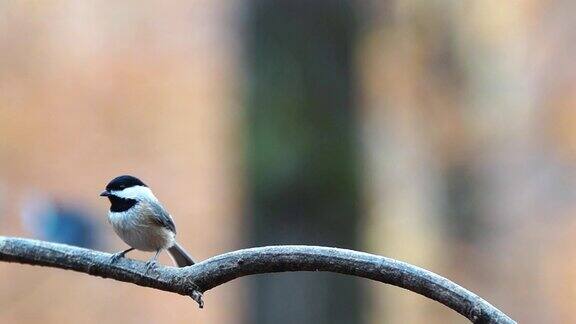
(301, 152)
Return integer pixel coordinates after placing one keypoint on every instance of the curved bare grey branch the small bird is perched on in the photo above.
(194, 280)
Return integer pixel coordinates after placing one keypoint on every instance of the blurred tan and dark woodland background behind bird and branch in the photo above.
(440, 133)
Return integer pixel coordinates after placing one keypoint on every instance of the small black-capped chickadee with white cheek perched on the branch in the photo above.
(141, 221)
